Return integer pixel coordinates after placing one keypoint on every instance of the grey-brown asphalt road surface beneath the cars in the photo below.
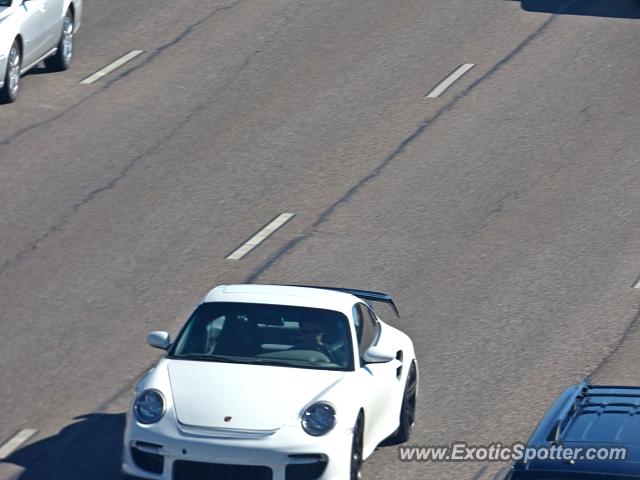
(502, 214)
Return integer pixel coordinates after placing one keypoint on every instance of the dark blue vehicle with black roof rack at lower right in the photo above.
(587, 417)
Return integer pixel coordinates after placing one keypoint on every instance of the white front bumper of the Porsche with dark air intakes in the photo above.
(287, 446)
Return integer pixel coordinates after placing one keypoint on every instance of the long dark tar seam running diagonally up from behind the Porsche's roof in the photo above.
(327, 212)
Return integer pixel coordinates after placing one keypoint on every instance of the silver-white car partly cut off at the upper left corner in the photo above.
(32, 31)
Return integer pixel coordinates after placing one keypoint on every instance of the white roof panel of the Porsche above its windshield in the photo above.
(283, 295)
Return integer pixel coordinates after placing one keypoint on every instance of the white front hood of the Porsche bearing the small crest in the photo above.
(236, 396)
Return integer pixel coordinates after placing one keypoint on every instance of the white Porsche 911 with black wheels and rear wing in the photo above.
(269, 382)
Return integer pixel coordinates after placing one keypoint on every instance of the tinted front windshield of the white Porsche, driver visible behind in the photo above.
(266, 334)
